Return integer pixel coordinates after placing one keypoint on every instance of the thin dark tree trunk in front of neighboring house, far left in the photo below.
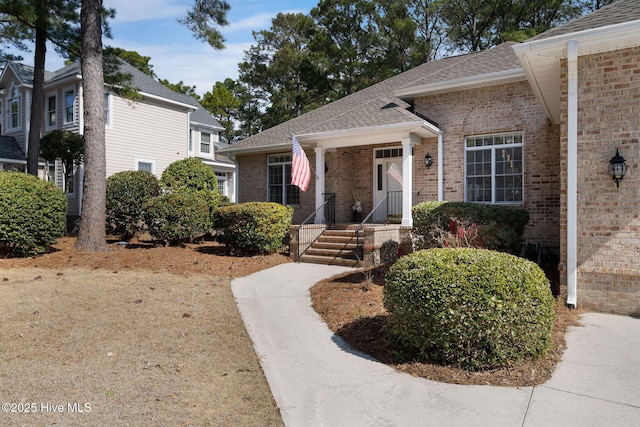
(37, 100)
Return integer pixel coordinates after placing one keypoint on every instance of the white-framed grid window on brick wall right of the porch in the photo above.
(493, 168)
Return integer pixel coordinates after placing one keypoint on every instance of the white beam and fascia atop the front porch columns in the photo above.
(370, 135)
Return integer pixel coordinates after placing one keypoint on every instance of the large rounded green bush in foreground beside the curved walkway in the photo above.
(473, 308)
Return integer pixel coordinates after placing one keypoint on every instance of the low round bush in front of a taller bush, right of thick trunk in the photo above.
(178, 217)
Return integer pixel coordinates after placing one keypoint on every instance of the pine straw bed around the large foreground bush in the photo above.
(351, 305)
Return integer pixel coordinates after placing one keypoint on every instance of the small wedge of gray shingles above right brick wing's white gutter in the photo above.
(616, 13)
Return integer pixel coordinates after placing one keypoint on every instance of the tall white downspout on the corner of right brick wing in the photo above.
(572, 173)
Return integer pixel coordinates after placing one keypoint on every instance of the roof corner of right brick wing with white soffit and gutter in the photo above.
(614, 27)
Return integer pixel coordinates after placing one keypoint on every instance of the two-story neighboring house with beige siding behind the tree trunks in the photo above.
(146, 134)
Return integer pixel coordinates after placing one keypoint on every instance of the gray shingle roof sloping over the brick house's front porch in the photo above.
(384, 105)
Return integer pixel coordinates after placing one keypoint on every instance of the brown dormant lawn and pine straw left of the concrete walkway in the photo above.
(140, 336)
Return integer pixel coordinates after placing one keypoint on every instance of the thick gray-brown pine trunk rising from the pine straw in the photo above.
(92, 236)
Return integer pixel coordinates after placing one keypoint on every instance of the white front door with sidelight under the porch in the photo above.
(388, 182)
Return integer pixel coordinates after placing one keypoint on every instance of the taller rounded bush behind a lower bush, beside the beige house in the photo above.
(193, 175)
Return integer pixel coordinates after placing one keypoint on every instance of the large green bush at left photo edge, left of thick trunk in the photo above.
(32, 214)
